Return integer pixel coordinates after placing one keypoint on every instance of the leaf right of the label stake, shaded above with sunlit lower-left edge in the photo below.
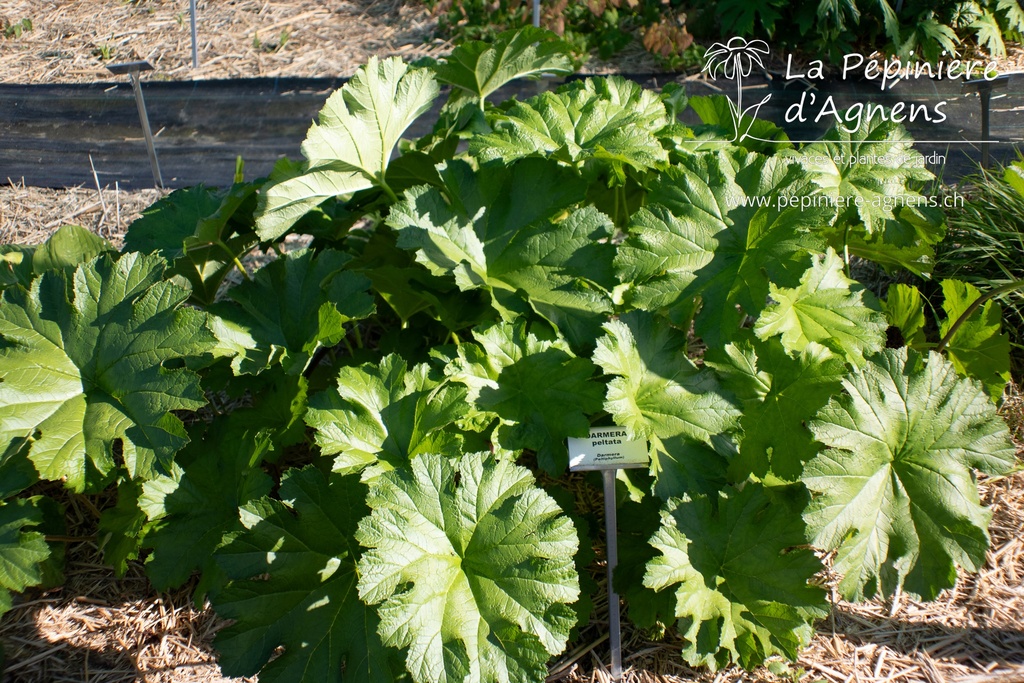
(742, 587)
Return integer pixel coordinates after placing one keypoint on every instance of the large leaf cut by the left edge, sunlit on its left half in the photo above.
(87, 369)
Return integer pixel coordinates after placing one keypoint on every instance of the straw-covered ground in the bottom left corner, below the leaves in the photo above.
(100, 629)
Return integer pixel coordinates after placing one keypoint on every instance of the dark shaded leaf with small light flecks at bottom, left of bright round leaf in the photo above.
(291, 584)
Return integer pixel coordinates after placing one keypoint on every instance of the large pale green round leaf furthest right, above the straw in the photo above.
(895, 493)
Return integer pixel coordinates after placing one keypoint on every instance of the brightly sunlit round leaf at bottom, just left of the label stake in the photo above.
(473, 567)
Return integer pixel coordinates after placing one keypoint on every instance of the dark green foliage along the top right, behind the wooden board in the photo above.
(821, 29)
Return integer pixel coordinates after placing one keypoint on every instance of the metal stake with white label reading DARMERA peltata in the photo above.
(609, 450)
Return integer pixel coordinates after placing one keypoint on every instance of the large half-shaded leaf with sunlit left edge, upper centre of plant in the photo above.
(513, 231)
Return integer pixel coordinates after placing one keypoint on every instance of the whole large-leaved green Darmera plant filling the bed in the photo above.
(466, 307)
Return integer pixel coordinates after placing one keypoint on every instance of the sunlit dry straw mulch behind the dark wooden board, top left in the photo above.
(73, 40)
